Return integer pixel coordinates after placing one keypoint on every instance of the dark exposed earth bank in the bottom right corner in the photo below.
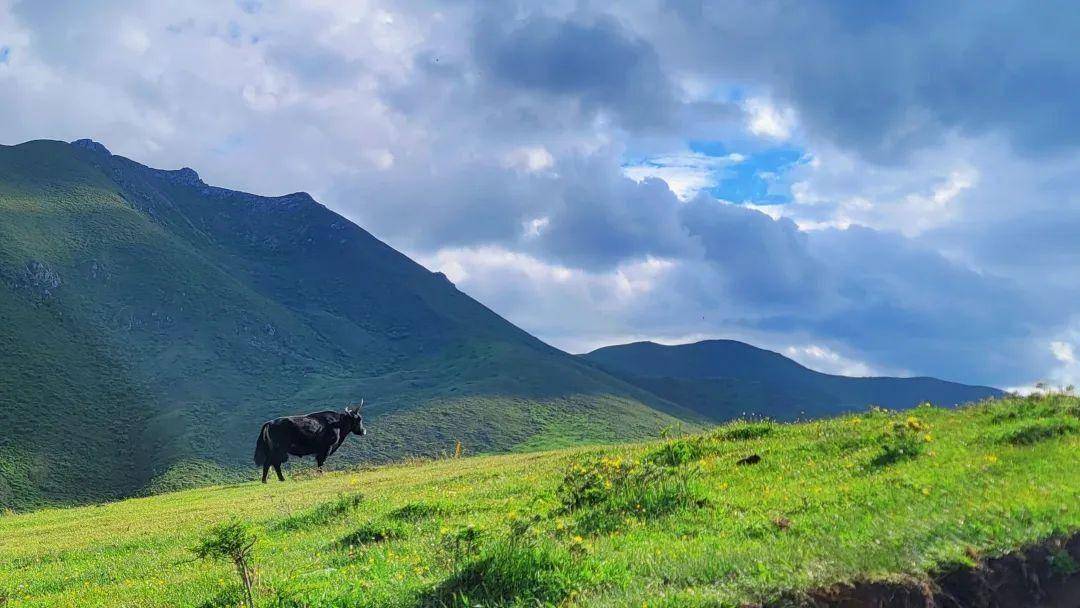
(1045, 576)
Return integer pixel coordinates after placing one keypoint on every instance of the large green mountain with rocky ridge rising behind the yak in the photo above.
(150, 323)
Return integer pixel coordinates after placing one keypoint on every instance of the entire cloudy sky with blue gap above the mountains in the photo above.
(870, 191)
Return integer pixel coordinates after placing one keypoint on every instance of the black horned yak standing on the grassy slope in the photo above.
(320, 434)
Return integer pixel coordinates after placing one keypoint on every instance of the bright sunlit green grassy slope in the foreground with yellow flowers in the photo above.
(876, 496)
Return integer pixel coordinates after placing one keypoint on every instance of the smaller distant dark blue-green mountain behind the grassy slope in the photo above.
(724, 380)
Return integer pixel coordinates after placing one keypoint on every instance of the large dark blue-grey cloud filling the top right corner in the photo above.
(890, 78)
